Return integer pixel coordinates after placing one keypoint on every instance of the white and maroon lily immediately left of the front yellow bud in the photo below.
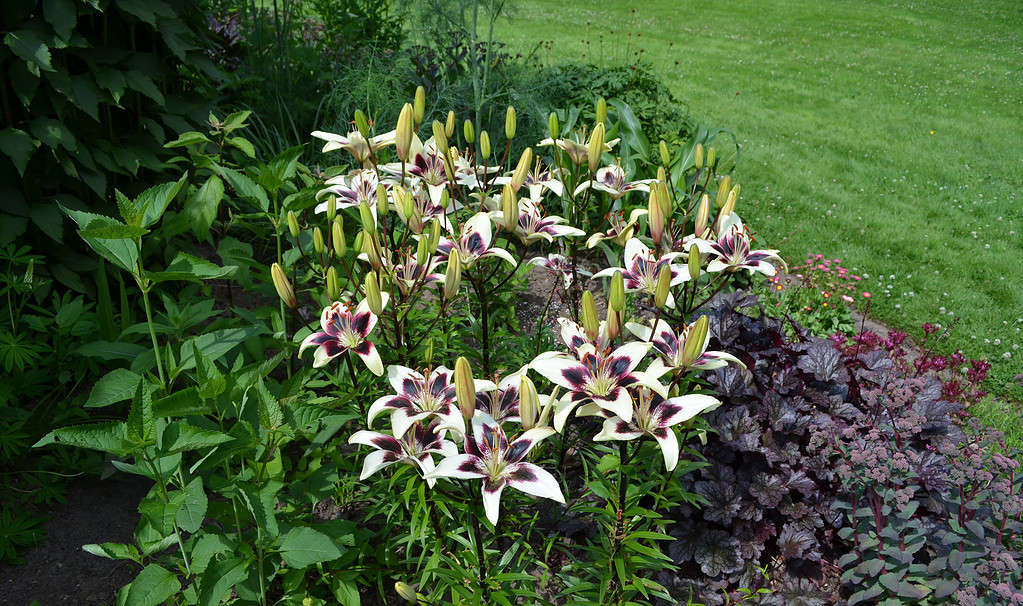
(419, 398)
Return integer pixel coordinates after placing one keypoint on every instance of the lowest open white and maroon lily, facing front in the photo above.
(491, 457)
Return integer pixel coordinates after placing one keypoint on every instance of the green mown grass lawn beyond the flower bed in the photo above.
(887, 135)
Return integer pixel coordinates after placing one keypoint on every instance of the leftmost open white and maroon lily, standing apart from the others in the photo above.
(345, 330)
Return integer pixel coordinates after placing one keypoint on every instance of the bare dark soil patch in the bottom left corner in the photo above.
(59, 572)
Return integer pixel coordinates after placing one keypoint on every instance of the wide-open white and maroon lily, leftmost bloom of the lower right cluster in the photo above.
(598, 377)
